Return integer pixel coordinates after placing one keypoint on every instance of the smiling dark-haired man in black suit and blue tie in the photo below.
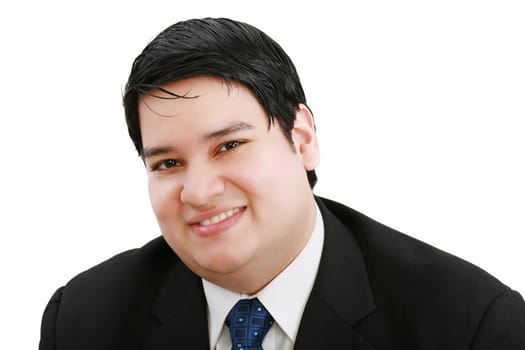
(217, 113)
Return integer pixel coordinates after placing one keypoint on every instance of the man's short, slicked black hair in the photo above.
(223, 48)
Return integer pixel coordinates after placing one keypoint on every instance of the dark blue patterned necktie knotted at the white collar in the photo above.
(249, 322)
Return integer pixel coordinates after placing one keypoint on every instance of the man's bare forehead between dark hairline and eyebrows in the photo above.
(201, 106)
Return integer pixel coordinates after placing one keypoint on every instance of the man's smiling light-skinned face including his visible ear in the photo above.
(230, 194)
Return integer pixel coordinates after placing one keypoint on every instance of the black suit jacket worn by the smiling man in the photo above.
(376, 289)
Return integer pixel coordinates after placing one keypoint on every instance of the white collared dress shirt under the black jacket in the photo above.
(284, 297)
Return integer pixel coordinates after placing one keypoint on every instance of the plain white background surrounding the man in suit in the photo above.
(419, 108)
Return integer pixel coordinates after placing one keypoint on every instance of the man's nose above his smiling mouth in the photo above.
(202, 182)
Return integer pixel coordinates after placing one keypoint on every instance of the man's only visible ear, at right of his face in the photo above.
(305, 138)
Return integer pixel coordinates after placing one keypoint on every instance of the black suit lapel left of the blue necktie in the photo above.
(181, 310)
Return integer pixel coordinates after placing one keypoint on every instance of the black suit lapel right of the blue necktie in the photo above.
(341, 294)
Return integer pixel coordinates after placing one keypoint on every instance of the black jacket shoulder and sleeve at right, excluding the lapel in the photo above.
(423, 293)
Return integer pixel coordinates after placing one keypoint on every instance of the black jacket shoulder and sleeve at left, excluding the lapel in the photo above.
(109, 305)
